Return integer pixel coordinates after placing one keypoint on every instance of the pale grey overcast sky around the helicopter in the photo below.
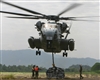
(14, 33)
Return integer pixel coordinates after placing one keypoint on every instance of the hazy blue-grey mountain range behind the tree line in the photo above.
(28, 57)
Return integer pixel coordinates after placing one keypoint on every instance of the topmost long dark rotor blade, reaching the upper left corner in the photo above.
(30, 11)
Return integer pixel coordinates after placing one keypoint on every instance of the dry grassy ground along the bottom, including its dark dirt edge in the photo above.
(42, 76)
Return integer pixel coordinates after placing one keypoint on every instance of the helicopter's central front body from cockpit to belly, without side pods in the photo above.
(51, 32)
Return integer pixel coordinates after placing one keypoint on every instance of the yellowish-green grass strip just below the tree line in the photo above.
(12, 75)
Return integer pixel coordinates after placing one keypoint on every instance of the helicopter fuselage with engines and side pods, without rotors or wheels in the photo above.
(51, 38)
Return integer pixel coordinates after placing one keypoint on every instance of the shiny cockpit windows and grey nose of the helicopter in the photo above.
(51, 31)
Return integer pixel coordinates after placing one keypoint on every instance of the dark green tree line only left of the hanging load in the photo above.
(19, 68)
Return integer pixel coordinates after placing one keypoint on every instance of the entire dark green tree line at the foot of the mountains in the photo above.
(23, 68)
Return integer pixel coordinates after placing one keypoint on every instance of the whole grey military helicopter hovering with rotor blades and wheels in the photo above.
(51, 33)
